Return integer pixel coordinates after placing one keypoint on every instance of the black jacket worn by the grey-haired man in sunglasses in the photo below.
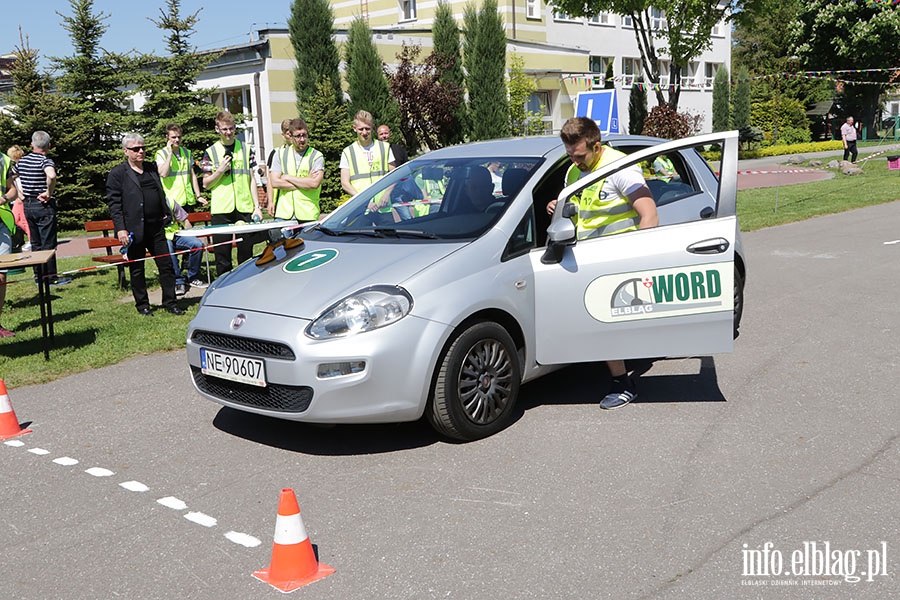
(126, 201)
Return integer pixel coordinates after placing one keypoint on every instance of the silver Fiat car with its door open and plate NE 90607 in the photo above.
(443, 288)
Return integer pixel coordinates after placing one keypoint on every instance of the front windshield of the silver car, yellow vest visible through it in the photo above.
(456, 198)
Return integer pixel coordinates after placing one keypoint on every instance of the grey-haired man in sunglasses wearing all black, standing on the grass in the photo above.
(140, 213)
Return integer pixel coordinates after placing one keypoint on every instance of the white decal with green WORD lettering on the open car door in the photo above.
(665, 293)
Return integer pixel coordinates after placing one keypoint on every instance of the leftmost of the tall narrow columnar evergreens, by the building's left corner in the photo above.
(311, 30)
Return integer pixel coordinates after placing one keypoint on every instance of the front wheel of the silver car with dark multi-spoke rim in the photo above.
(477, 384)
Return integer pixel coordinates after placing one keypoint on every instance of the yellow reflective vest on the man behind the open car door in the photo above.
(596, 215)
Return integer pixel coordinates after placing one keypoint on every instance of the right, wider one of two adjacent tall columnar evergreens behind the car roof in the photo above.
(486, 80)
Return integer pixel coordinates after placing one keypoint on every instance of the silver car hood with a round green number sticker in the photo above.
(310, 279)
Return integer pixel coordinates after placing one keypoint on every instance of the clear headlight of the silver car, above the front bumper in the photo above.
(365, 310)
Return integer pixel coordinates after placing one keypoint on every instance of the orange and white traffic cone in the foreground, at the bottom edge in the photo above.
(293, 563)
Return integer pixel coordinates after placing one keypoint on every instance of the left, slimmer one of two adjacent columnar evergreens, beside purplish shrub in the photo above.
(445, 32)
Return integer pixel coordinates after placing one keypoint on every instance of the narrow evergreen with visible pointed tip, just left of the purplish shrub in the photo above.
(366, 82)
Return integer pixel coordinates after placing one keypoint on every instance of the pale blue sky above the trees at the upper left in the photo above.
(221, 23)
